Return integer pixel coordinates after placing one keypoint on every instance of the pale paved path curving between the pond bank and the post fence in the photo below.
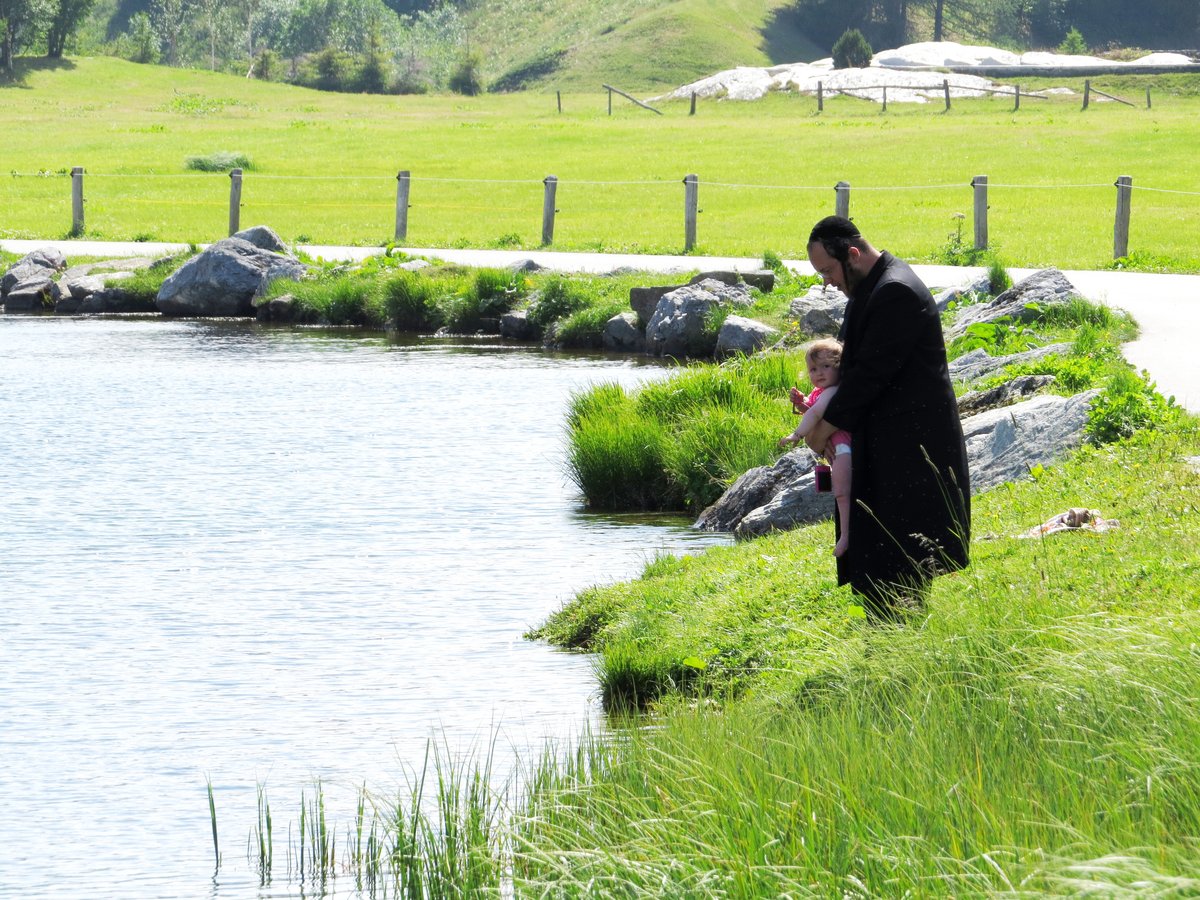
(1167, 308)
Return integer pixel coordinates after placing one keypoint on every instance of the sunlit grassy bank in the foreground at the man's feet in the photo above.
(1035, 735)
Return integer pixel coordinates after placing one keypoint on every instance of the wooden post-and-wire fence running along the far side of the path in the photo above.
(692, 187)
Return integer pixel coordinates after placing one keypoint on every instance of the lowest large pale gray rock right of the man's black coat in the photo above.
(1005, 445)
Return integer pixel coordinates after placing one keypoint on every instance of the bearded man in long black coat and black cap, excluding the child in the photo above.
(910, 515)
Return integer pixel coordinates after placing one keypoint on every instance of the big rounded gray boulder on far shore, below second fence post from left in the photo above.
(226, 279)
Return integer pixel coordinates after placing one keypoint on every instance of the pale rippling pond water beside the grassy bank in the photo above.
(265, 557)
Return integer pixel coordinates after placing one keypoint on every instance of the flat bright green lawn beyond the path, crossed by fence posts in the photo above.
(325, 167)
